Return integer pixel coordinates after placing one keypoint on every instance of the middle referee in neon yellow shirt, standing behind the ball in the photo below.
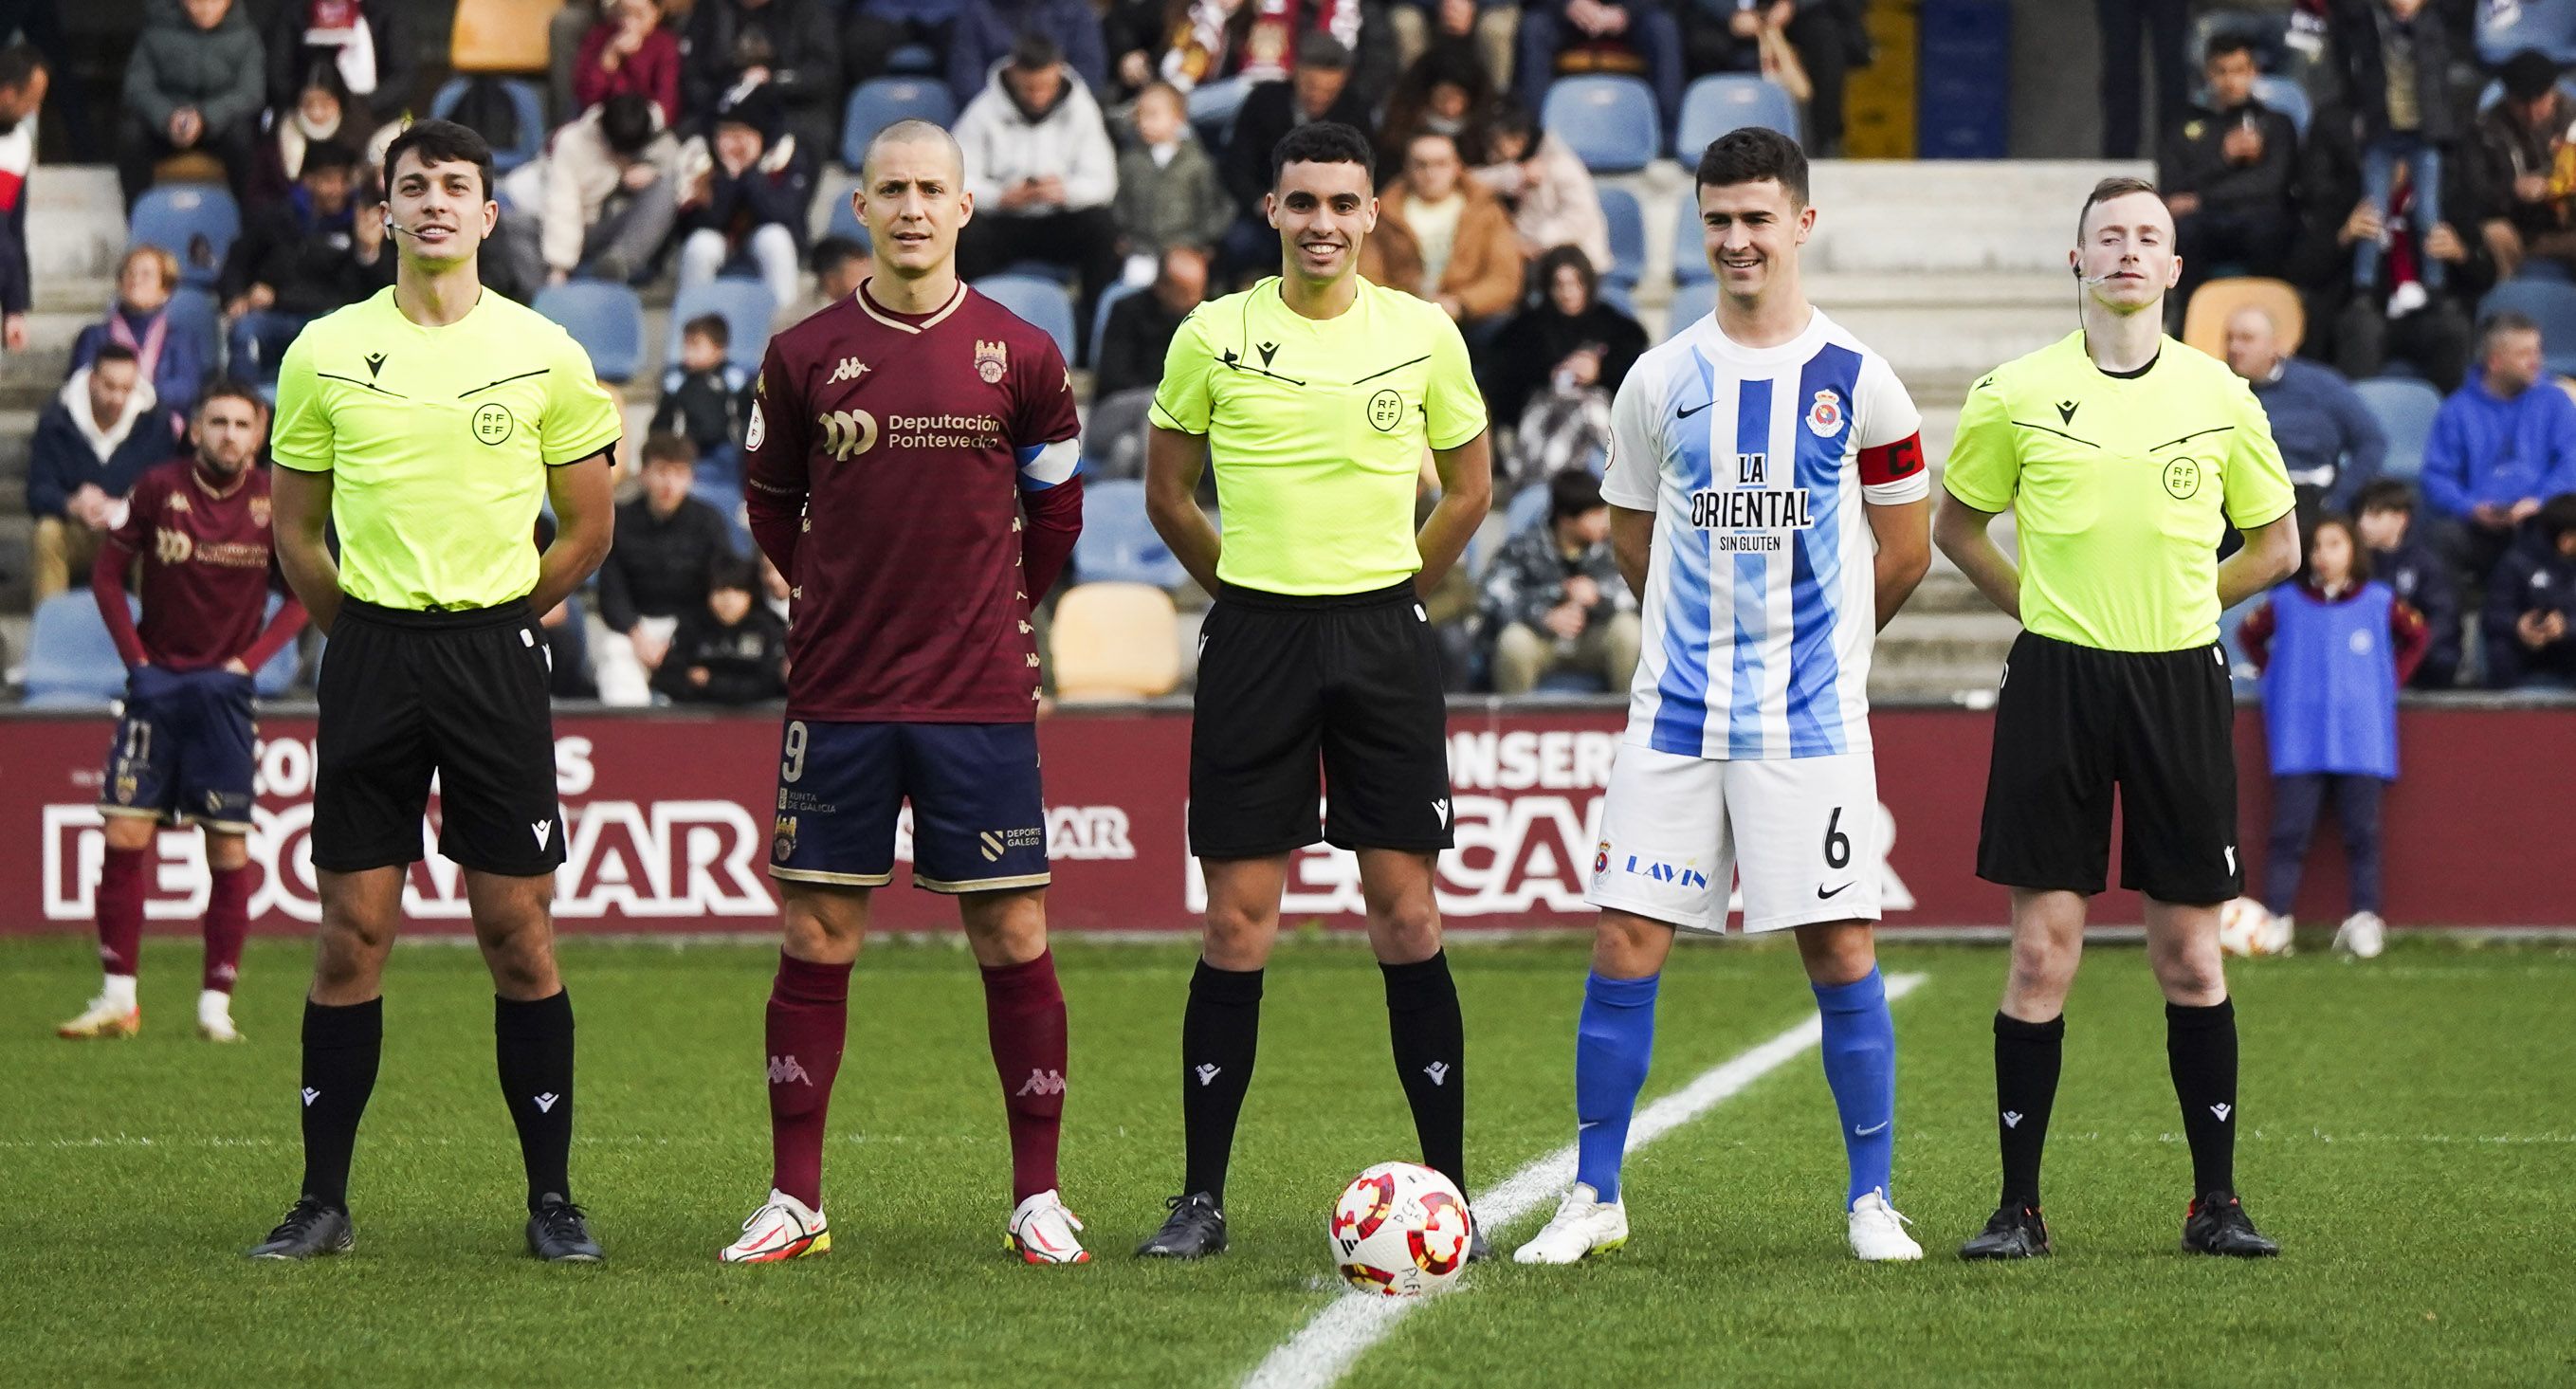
(1315, 398)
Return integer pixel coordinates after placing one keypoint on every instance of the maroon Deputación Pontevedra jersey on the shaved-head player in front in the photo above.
(900, 442)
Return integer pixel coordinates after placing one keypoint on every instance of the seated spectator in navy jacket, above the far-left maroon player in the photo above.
(91, 445)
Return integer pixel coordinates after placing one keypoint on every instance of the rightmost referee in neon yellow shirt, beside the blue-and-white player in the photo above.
(2124, 457)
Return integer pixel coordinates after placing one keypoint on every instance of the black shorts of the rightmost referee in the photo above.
(2070, 725)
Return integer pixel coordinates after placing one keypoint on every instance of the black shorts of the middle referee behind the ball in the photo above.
(1349, 676)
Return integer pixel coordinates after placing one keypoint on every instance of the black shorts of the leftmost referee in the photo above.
(460, 697)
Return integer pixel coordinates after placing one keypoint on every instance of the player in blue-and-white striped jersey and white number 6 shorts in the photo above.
(1756, 463)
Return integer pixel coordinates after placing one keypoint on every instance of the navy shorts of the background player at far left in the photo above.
(184, 751)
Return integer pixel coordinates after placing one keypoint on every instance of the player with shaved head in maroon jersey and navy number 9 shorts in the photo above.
(911, 470)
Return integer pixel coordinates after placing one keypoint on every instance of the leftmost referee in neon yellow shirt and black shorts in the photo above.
(431, 424)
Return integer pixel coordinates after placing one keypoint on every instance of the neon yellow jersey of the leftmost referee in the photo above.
(439, 442)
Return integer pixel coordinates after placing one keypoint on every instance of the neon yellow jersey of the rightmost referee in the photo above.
(2121, 488)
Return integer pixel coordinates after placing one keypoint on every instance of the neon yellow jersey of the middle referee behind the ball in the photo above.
(1318, 429)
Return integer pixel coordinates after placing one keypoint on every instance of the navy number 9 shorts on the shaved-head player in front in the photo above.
(978, 813)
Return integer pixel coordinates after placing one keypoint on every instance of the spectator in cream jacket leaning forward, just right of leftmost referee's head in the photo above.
(599, 202)
